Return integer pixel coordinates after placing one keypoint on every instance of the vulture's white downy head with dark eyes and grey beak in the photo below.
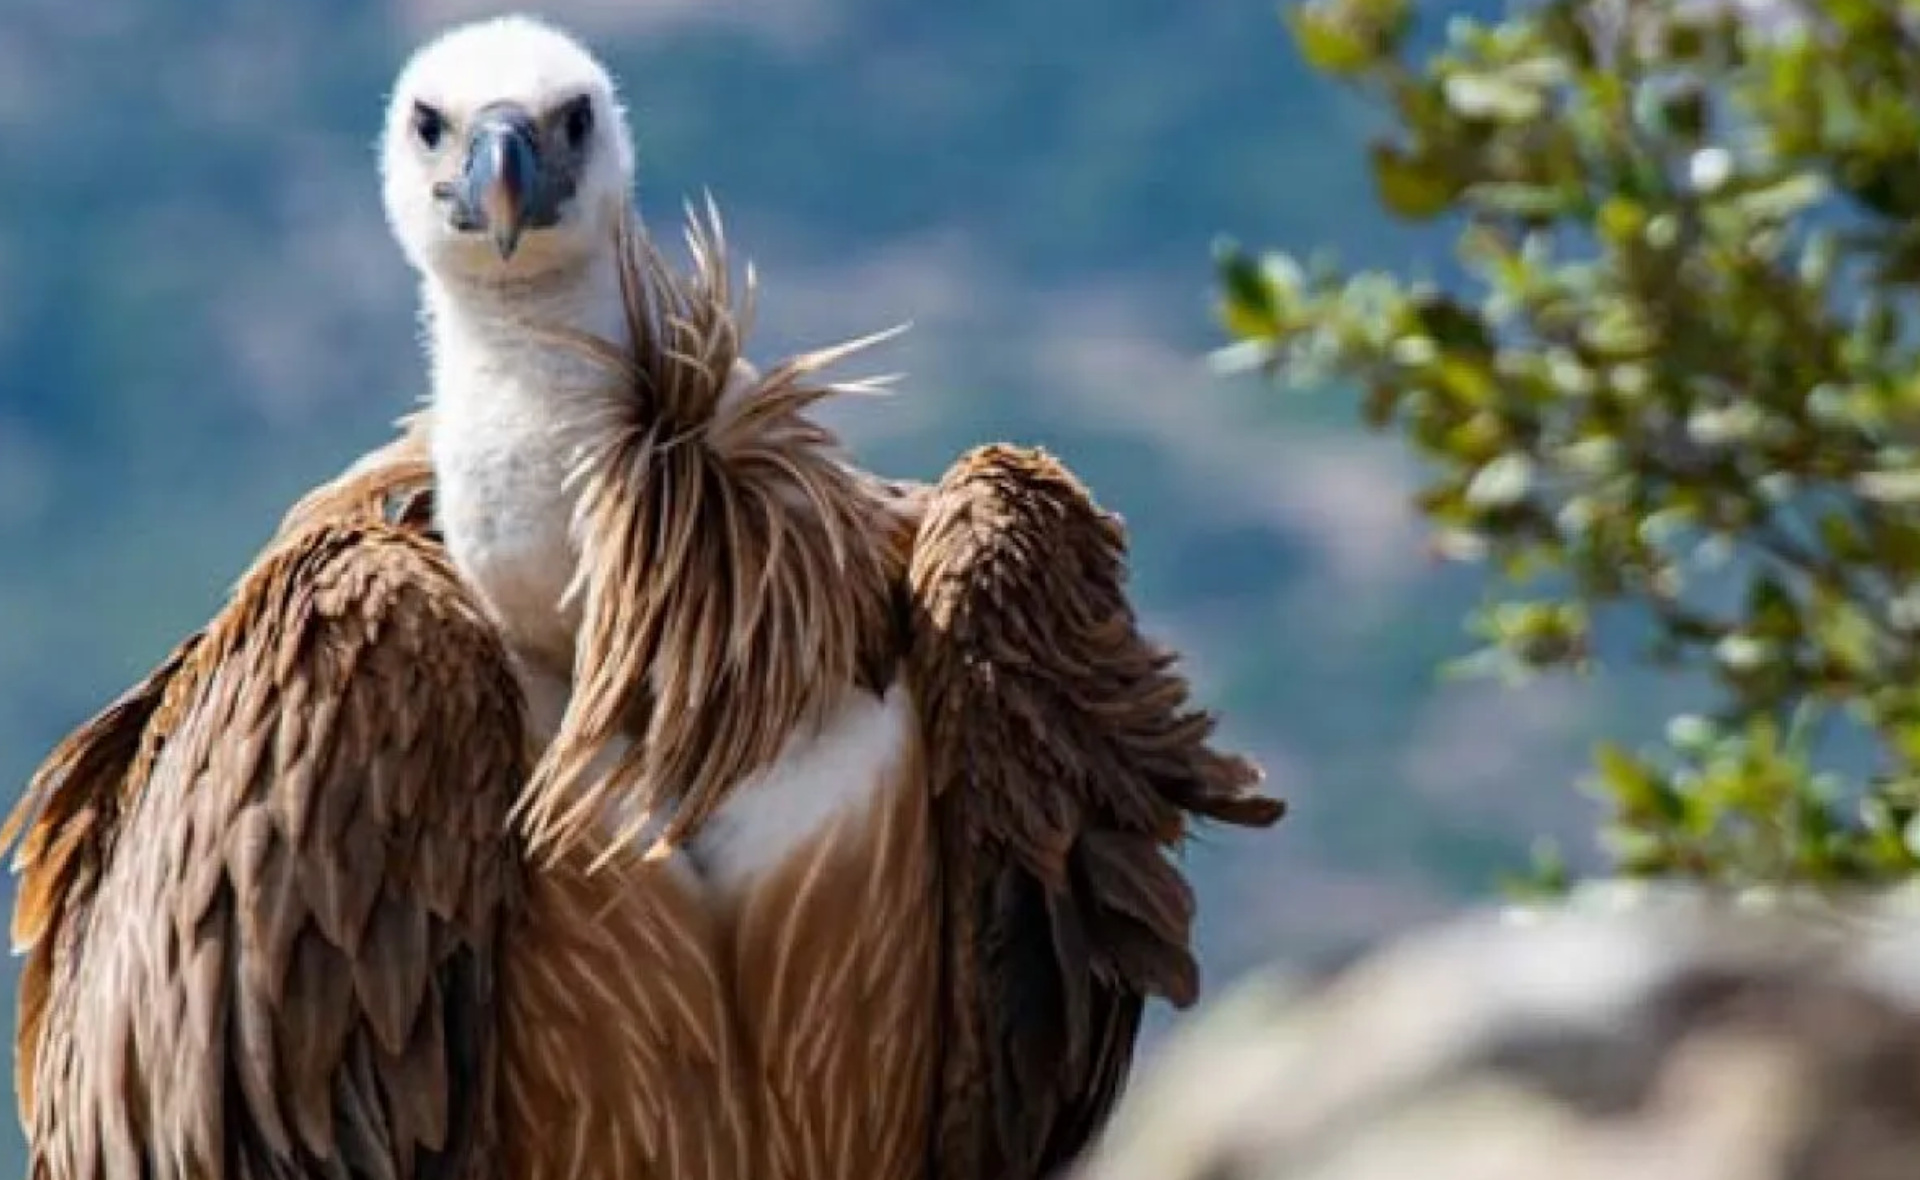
(506, 154)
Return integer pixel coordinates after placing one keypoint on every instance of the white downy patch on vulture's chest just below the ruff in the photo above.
(817, 782)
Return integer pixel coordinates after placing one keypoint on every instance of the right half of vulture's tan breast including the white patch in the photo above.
(823, 878)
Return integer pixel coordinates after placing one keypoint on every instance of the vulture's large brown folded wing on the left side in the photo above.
(262, 891)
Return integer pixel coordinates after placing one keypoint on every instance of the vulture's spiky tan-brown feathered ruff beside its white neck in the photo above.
(734, 573)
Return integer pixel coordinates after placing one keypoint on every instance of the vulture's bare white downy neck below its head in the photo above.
(512, 410)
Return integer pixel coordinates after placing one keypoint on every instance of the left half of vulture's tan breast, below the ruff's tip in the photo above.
(621, 1056)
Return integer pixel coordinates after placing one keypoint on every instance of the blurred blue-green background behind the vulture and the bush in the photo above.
(203, 316)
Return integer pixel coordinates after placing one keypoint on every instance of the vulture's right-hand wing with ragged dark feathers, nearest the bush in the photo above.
(1067, 765)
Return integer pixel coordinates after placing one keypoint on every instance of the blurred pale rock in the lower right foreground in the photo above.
(1625, 1035)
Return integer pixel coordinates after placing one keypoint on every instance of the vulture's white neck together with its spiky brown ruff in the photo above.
(729, 577)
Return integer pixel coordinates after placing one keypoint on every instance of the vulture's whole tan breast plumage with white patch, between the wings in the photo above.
(750, 1006)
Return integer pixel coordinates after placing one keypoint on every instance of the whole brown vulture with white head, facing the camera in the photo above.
(608, 778)
